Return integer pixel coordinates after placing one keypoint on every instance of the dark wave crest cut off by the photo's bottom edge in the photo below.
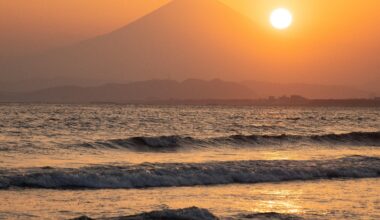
(195, 213)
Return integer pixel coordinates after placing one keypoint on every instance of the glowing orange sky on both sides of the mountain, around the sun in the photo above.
(345, 31)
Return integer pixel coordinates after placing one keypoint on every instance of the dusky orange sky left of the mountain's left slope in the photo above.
(27, 26)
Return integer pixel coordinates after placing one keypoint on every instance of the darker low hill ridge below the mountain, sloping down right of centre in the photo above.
(136, 91)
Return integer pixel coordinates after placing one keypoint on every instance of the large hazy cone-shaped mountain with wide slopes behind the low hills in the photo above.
(202, 39)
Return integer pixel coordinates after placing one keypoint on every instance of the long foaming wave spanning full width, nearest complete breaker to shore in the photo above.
(189, 174)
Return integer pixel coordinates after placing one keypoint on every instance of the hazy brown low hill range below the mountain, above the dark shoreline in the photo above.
(191, 89)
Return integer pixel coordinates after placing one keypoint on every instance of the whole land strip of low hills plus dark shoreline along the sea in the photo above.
(198, 92)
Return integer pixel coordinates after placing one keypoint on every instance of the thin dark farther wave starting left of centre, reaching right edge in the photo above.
(169, 143)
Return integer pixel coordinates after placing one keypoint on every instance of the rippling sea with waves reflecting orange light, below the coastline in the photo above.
(104, 160)
